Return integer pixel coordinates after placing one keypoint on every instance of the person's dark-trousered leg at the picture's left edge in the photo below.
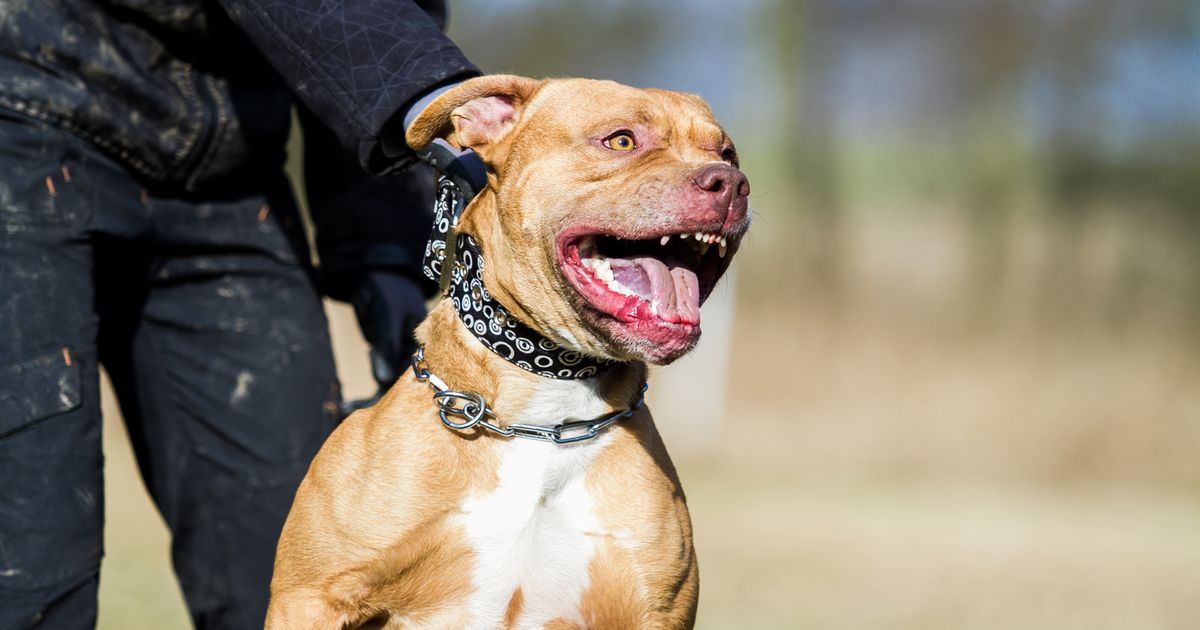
(51, 479)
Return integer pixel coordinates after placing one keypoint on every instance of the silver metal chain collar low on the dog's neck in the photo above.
(476, 411)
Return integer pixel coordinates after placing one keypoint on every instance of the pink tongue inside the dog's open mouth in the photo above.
(674, 293)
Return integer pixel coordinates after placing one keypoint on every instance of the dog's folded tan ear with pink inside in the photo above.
(478, 113)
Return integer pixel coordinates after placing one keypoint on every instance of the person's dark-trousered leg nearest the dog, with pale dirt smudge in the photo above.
(231, 393)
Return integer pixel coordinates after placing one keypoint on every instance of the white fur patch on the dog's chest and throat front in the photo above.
(536, 531)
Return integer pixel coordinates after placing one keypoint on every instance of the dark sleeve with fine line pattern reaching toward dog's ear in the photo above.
(356, 64)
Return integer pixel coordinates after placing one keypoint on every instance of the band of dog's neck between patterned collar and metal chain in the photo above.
(457, 356)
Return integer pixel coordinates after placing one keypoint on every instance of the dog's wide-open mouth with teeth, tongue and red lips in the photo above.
(661, 280)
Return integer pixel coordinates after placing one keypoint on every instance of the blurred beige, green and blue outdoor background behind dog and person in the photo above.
(955, 379)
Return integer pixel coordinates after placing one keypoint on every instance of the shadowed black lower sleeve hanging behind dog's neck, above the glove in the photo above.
(362, 221)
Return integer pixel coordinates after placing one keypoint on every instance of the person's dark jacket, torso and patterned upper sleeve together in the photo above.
(196, 93)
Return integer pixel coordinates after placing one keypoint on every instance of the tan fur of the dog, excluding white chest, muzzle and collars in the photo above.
(371, 538)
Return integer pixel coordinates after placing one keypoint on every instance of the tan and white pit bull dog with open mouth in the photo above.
(609, 215)
